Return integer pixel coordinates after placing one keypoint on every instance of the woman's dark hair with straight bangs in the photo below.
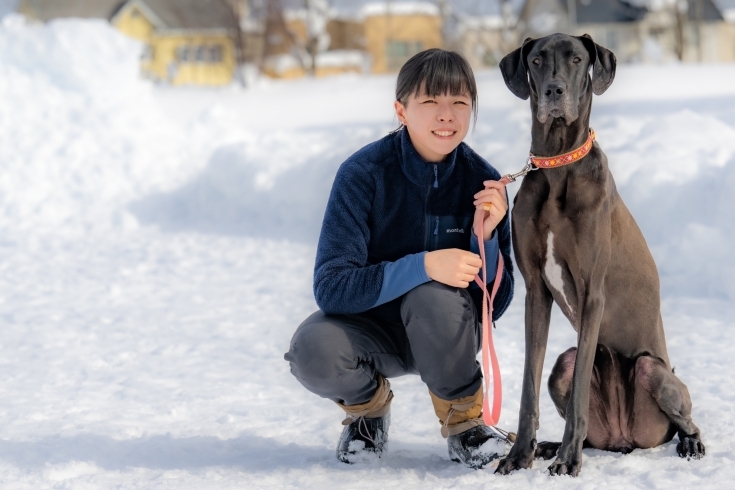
(436, 72)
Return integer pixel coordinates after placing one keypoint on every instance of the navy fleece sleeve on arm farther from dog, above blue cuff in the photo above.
(343, 282)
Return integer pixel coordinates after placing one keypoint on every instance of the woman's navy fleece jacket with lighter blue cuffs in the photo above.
(386, 209)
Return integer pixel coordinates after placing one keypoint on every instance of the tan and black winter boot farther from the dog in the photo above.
(366, 426)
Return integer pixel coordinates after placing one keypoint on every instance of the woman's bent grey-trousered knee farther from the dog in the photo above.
(323, 359)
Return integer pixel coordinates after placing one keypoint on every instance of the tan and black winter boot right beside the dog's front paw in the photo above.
(469, 440)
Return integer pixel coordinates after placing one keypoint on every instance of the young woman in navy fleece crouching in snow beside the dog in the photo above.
(395, 266)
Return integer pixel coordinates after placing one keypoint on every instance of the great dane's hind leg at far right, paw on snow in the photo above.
(672, 397)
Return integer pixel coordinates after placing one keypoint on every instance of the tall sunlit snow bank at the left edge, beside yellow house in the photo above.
(79, 132)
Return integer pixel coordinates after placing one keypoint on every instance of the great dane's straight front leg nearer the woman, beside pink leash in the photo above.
(538, 314)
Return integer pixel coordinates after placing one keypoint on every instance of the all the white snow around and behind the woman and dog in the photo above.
(156, 252)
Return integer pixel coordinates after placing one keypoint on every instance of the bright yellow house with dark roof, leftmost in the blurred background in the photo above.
(187, 42)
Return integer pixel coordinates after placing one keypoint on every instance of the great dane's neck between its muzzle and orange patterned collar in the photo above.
(555, 137)
